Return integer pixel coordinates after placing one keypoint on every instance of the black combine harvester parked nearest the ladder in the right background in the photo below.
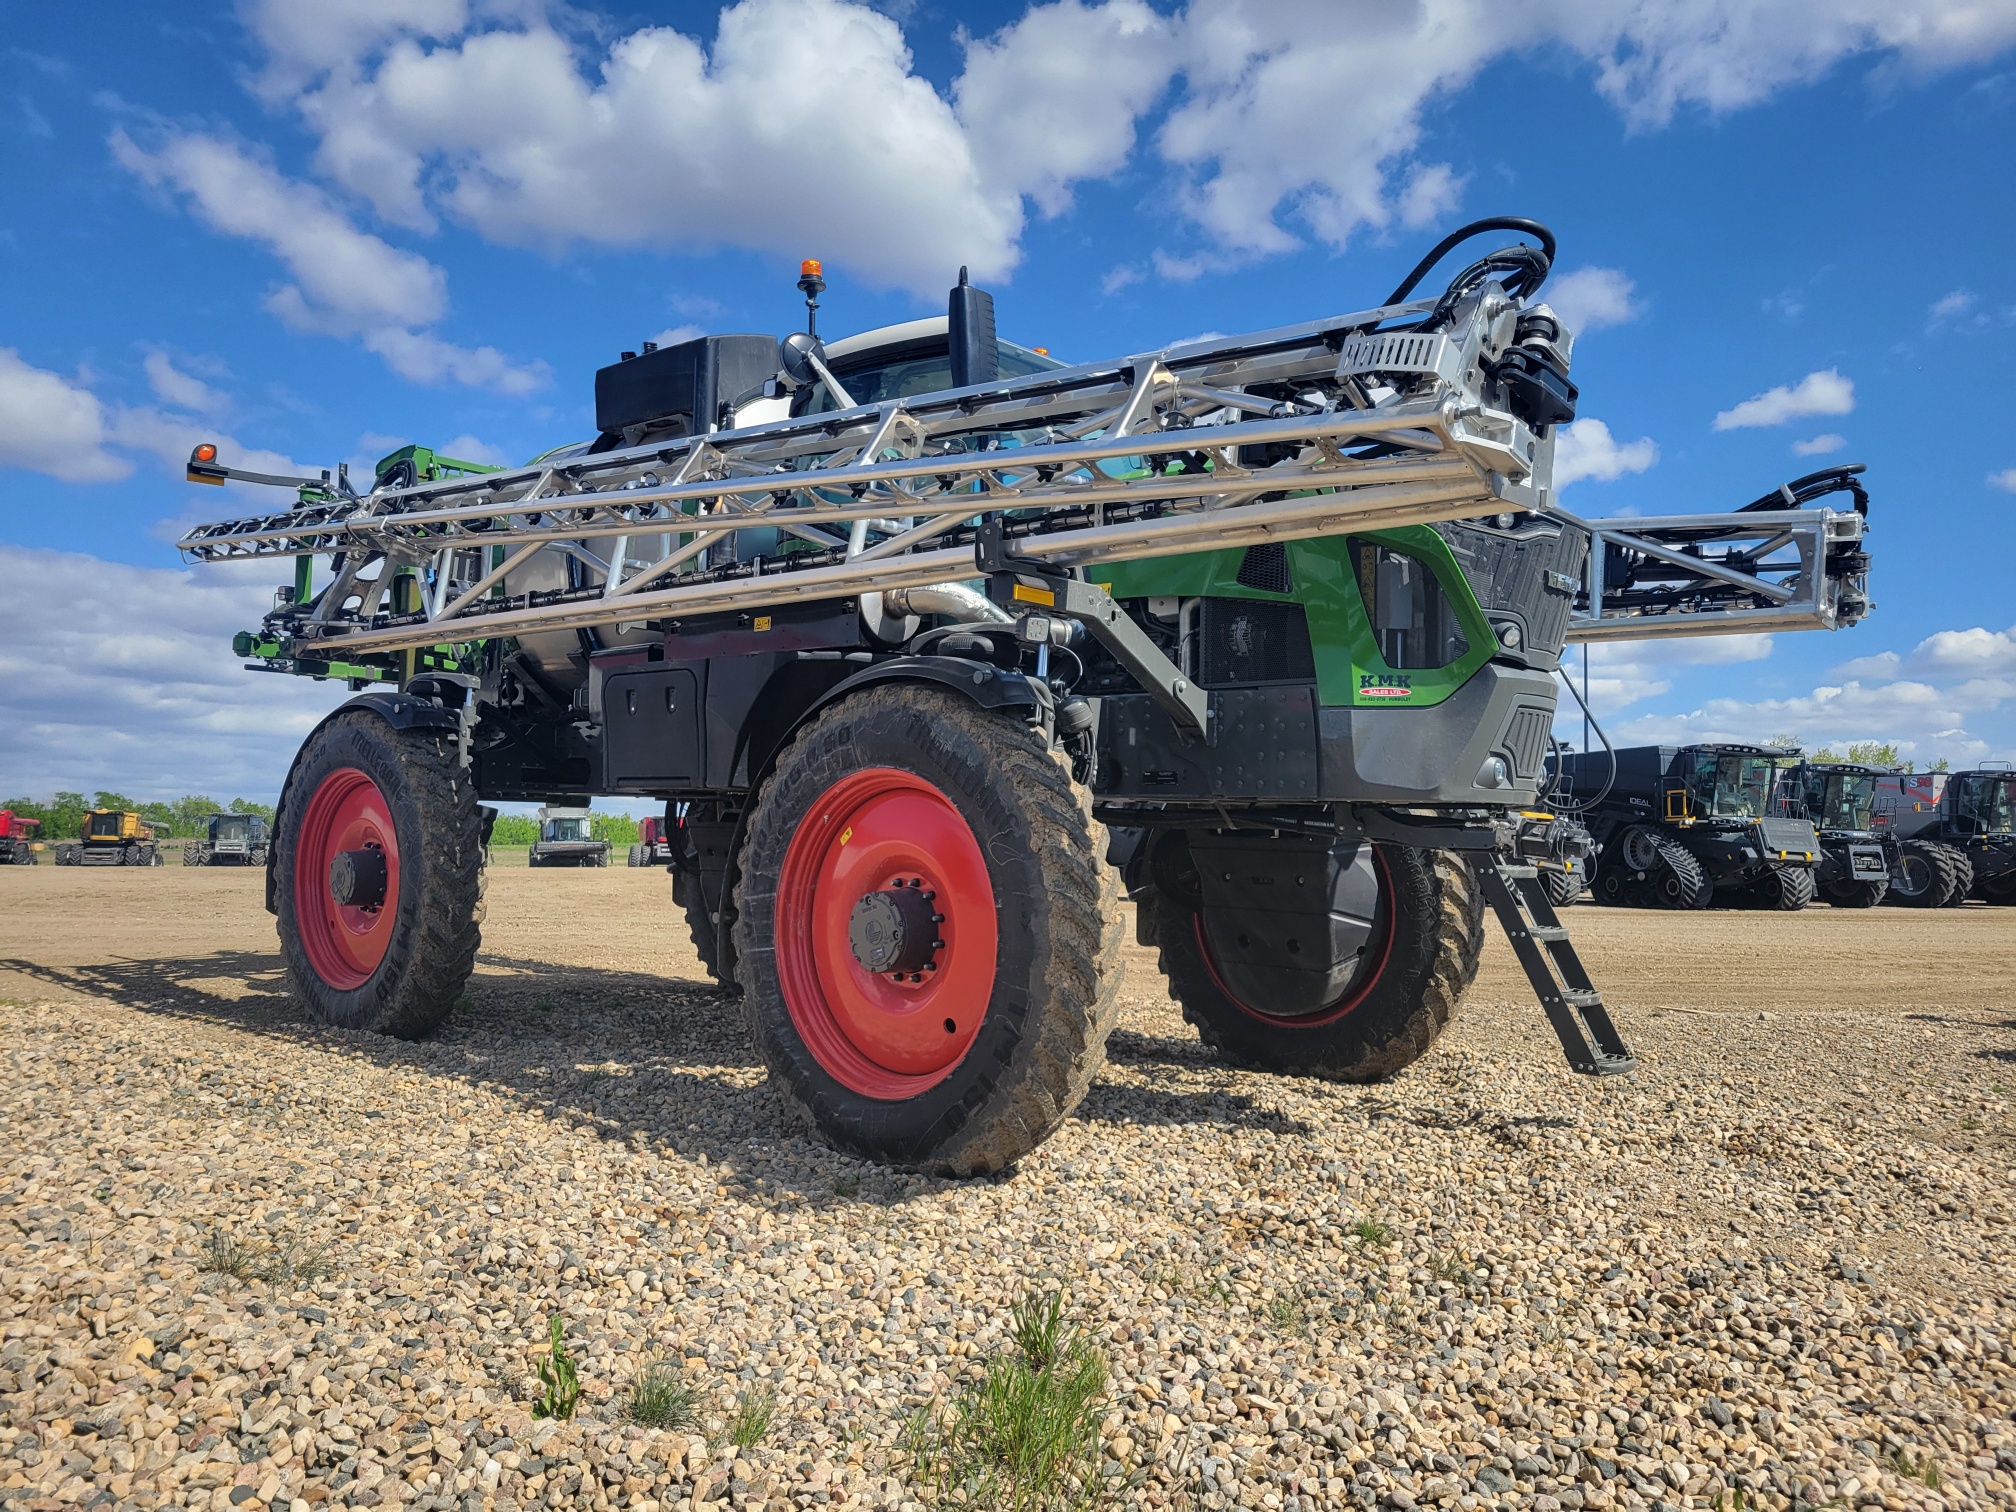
(1688, 826)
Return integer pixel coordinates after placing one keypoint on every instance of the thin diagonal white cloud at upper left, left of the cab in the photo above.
(348, 283)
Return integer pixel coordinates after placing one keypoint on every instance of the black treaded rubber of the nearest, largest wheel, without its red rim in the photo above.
(1035, 820)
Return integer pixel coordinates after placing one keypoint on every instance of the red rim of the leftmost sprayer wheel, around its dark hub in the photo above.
(346, 944)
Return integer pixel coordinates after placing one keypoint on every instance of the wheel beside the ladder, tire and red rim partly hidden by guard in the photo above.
(1412, 918)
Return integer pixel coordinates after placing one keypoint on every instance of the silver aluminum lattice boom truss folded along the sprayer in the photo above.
(1287, 434)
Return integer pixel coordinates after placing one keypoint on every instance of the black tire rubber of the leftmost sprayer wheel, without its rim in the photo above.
(430, 959)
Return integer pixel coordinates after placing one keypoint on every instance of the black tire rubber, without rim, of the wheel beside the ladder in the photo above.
(1457, 904)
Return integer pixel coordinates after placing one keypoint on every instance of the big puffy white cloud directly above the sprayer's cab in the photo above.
(801, 130)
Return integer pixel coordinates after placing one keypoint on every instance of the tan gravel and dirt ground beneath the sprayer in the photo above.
(1767, 1269)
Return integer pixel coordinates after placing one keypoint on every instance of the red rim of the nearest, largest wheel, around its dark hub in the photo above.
(868, 834)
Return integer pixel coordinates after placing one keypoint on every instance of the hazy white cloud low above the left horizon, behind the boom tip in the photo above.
(158, 709)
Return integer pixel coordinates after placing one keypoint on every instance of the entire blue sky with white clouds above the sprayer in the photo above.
(316, 233)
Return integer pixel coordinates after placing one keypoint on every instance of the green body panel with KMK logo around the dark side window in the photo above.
(1350, 668)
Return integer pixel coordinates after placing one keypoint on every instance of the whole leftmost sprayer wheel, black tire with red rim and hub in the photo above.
(380, 876)
